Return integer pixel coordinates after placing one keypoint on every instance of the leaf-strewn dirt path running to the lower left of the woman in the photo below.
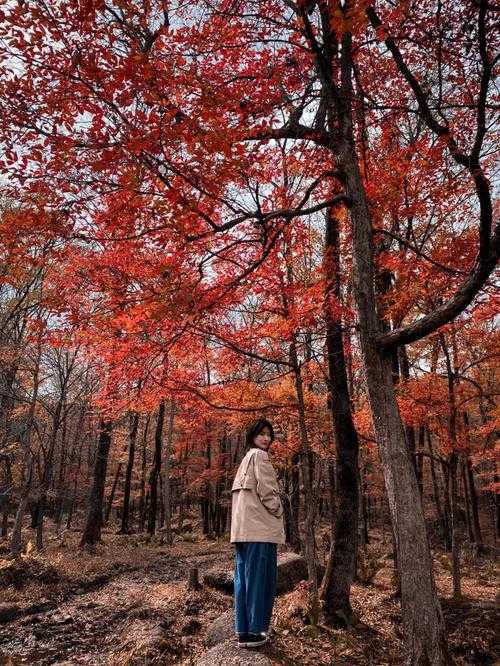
(94, 627)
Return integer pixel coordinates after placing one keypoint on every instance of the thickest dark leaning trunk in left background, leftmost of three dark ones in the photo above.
(92, 531)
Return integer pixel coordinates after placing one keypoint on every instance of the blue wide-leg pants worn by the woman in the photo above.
(255, 570)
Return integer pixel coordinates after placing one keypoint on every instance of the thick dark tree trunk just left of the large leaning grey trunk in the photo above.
(339, 574)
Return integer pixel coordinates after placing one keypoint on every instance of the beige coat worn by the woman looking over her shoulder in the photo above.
(257, 513)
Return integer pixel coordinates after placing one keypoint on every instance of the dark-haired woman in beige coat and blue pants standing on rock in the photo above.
(256, 529)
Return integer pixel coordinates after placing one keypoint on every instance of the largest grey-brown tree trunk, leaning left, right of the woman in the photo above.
(422, 617)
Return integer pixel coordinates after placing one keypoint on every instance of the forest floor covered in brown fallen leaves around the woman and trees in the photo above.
(127, 604)
